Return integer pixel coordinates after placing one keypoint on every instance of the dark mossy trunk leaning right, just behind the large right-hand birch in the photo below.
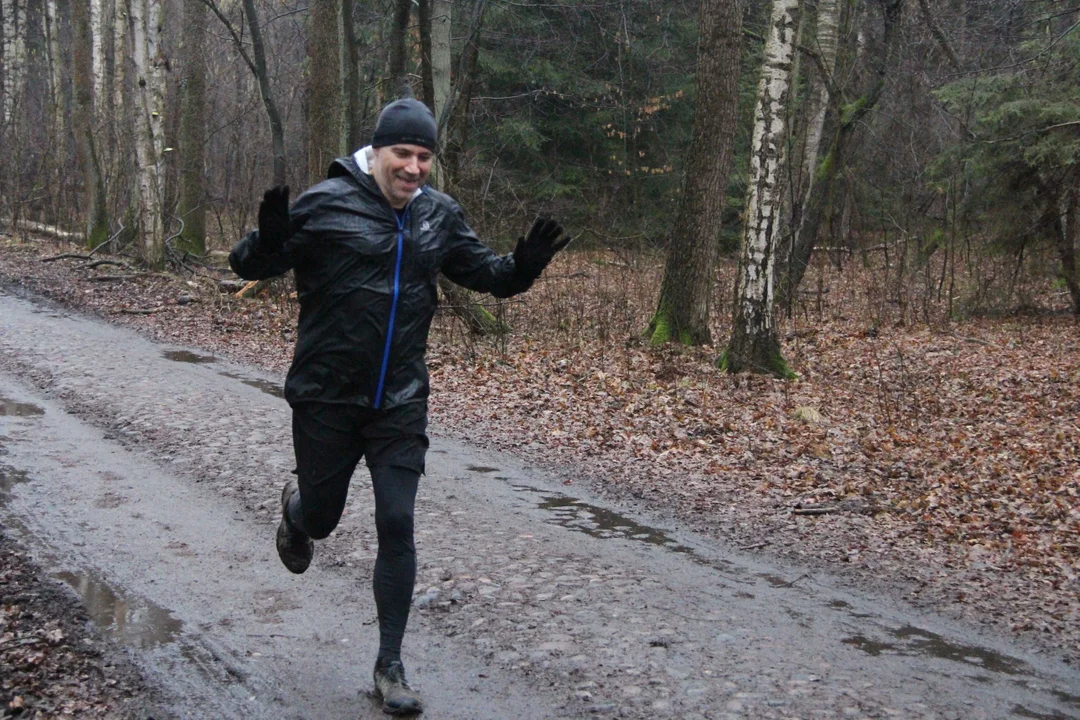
(848, 119)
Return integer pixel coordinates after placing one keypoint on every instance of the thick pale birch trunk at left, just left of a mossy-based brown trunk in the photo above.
(148, 19)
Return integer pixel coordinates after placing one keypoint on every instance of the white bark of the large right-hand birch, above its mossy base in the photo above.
(754, 309)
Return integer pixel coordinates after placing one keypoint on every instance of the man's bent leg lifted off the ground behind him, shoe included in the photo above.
(328, 447)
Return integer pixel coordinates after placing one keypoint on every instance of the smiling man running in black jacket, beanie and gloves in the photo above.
(367, 247)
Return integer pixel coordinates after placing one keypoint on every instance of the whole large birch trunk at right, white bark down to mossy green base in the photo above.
(755, 345)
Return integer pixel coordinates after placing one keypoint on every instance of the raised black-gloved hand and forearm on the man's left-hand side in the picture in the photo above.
(265, 253)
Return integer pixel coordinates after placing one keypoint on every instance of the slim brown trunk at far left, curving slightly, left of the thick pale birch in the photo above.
(97, 223)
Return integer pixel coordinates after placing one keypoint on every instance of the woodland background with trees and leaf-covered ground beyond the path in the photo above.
(872, 203)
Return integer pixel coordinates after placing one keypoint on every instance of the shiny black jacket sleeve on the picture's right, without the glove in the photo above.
(477, 267)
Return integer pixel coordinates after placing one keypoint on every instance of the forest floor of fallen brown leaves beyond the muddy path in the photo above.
(940, 461)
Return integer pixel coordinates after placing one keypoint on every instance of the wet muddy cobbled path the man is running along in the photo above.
(146, 477)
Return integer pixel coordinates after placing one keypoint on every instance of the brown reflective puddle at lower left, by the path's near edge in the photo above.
(134, 623)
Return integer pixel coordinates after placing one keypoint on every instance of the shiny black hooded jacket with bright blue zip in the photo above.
(368, 289)
